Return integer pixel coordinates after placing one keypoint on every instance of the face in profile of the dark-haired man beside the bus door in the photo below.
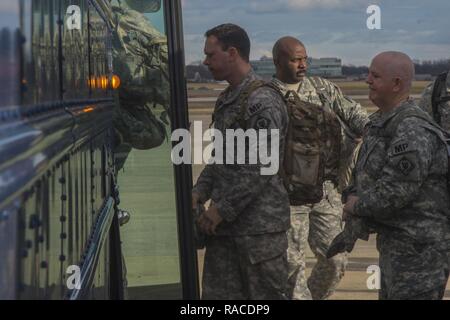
(217, 60)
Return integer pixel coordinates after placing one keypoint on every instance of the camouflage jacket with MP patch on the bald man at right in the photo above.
(401, 179)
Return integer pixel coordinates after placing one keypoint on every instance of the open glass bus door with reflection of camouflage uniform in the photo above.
(156, 232)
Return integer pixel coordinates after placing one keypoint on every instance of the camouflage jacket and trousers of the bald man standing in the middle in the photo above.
(319, 223)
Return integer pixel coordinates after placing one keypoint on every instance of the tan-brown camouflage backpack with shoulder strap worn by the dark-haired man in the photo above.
(307, 147)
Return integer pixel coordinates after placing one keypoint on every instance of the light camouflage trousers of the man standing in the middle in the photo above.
(317, 225)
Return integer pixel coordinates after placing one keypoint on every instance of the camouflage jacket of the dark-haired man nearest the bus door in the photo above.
(249, 203)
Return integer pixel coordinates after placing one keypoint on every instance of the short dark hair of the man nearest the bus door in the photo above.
(231, 35)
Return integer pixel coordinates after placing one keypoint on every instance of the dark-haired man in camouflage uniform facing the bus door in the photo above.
(248, 216)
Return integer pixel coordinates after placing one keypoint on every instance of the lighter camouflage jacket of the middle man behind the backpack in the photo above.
(352, 115)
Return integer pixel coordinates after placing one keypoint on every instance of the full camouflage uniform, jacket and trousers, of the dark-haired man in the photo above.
(246, 259)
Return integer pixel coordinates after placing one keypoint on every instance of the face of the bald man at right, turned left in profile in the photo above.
(381, 83)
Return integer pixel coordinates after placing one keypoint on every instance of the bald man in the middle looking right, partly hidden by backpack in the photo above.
(318, 223)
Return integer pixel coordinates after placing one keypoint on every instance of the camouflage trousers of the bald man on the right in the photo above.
(411, 270)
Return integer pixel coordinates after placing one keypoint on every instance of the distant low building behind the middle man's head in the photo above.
(323, 67)
